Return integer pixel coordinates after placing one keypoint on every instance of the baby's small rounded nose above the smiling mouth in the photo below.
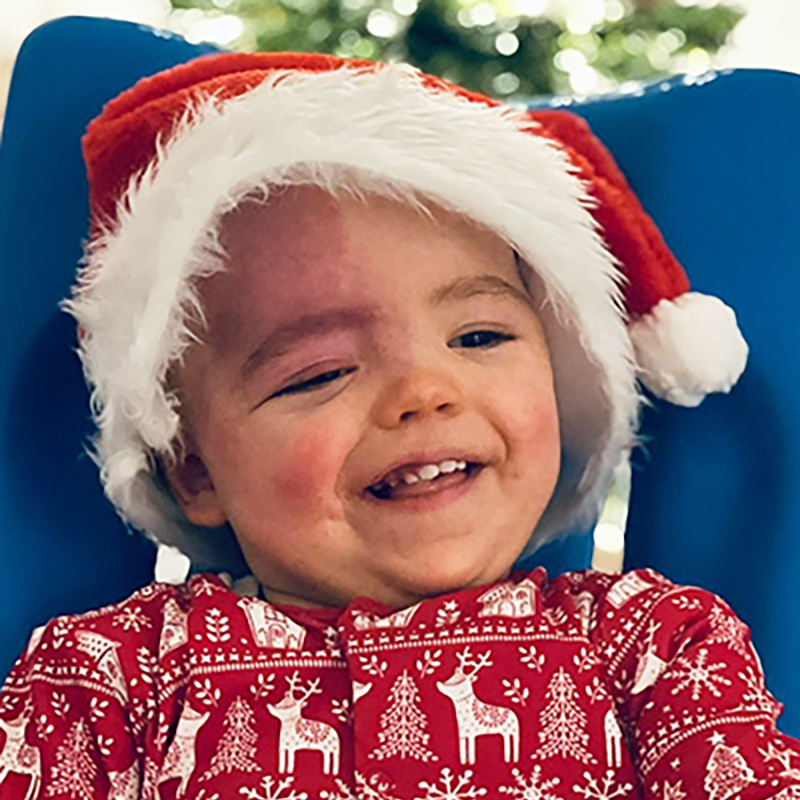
(418, 395)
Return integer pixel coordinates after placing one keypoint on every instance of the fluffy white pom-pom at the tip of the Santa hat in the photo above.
(689, 347)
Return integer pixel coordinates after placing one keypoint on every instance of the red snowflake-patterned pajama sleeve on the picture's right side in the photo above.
(690, 693)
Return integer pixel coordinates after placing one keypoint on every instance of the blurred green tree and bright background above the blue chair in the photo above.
(513, 49)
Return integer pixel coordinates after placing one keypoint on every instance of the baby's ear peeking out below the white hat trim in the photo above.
(190, 483)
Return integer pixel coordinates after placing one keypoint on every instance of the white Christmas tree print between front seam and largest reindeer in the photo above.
(403, 724)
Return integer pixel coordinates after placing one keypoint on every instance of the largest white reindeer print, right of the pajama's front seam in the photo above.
(474, 717)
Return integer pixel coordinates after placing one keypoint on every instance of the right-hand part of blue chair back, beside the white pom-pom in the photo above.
(716, 490)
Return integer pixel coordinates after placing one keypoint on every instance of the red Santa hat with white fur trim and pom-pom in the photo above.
(171, 156)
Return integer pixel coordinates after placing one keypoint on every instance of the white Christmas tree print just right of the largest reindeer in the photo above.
(563, 721)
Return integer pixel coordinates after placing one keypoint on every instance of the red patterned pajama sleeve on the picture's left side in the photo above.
(74, 711)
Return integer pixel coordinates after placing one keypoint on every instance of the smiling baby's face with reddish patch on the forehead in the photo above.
(346, 340)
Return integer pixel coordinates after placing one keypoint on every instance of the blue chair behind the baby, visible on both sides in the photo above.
(718, 473)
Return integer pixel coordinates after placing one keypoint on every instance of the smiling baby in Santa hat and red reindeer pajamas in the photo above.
(363, 336)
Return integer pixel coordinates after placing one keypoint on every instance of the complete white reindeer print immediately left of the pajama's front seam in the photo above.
(299, 733)
